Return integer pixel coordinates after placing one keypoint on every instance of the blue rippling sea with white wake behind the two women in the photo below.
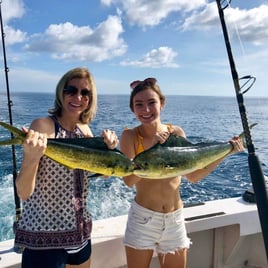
(202, 118)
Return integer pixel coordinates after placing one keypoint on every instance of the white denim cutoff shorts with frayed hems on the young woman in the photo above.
(162, 232)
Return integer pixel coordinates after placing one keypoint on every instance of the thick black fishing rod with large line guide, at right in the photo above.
(256, 172)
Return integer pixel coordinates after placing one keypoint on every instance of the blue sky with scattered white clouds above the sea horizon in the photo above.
(179, 42)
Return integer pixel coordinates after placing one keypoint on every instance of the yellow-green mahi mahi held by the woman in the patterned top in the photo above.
(89, 154)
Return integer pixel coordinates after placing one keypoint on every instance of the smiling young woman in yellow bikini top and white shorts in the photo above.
(156, 221)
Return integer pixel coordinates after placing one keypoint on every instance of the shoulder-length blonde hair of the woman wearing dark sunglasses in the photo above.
(80, 72)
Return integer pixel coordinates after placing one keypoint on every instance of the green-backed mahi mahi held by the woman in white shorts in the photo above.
(178, 156)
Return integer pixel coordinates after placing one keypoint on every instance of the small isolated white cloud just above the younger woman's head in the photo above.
(163, 57)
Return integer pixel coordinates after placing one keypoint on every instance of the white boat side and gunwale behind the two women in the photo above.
(225, 233)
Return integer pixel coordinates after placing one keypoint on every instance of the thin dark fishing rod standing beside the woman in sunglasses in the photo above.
(10, 104)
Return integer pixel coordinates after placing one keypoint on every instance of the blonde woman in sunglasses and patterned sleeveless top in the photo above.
(55, 226)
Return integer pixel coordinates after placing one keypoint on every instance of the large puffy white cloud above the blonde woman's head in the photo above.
(70, 42)
